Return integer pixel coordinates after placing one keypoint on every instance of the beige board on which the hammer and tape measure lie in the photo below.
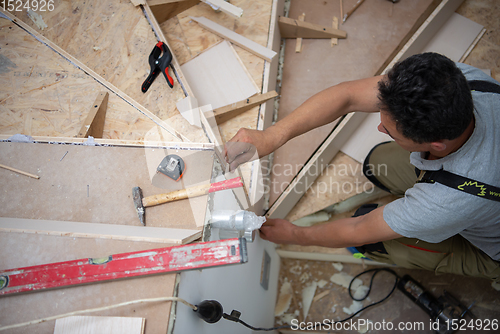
(94, 184)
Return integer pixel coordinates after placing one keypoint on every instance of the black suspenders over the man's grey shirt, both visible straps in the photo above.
(462, 183)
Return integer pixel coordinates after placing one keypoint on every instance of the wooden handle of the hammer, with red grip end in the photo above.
(191, 192)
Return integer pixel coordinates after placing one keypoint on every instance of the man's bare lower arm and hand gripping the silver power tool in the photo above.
(347, 232)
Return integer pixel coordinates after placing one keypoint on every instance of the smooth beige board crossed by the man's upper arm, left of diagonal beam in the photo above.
(318, 66)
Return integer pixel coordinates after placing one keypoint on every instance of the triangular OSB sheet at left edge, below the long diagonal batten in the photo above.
(44, 94)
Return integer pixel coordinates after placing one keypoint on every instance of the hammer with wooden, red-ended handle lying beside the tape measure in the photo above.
(141, 202)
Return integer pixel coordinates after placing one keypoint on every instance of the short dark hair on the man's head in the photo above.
(428, 97)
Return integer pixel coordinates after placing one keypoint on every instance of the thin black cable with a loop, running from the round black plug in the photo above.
(375, 272)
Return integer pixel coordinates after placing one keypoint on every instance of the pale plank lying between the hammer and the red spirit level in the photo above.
(100, 231)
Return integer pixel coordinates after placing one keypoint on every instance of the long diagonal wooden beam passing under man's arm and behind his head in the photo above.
(331, 145)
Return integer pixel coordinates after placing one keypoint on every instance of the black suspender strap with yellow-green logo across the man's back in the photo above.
(461, 183)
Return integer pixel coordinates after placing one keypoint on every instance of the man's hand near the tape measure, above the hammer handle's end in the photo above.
(248, 145)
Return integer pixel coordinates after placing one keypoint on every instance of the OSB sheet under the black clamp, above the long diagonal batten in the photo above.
(114, 39)
